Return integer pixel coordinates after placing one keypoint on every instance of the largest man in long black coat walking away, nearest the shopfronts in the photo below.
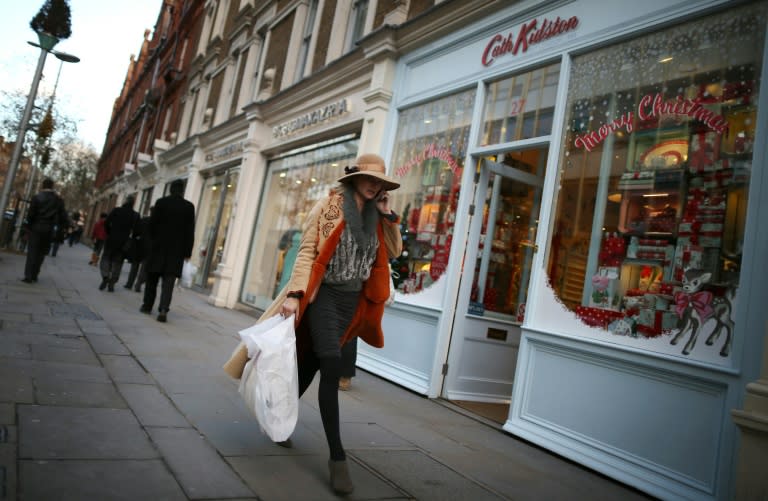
(172, 232)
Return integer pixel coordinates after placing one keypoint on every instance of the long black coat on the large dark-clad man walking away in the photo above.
(172, 232)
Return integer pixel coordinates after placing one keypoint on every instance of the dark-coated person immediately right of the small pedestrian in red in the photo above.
(120, 225)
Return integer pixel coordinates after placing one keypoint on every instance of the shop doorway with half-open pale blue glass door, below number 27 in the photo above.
(491, 306)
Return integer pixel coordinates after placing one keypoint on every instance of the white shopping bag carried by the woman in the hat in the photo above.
(270, 381)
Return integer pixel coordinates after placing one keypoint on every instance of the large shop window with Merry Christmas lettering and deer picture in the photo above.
(653, 183)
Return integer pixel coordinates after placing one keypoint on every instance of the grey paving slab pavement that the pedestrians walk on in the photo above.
(101, 402)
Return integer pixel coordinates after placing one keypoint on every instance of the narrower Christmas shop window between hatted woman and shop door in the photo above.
(428, 159)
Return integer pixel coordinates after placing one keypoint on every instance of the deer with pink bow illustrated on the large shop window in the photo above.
(695, 306)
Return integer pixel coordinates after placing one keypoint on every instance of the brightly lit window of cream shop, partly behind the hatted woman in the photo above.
(295, 182)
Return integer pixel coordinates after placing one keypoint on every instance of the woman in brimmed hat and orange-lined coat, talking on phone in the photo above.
(338, 286)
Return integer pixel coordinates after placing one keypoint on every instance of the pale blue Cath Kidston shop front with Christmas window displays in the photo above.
(579, 201)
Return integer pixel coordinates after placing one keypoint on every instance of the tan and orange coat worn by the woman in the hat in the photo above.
(321, 234)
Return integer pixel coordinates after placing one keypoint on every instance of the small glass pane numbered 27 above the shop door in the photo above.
(521, 106)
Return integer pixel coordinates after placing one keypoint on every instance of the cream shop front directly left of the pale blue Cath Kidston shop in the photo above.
(304, 152)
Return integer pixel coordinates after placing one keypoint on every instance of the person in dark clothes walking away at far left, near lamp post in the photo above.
(46, 213)
